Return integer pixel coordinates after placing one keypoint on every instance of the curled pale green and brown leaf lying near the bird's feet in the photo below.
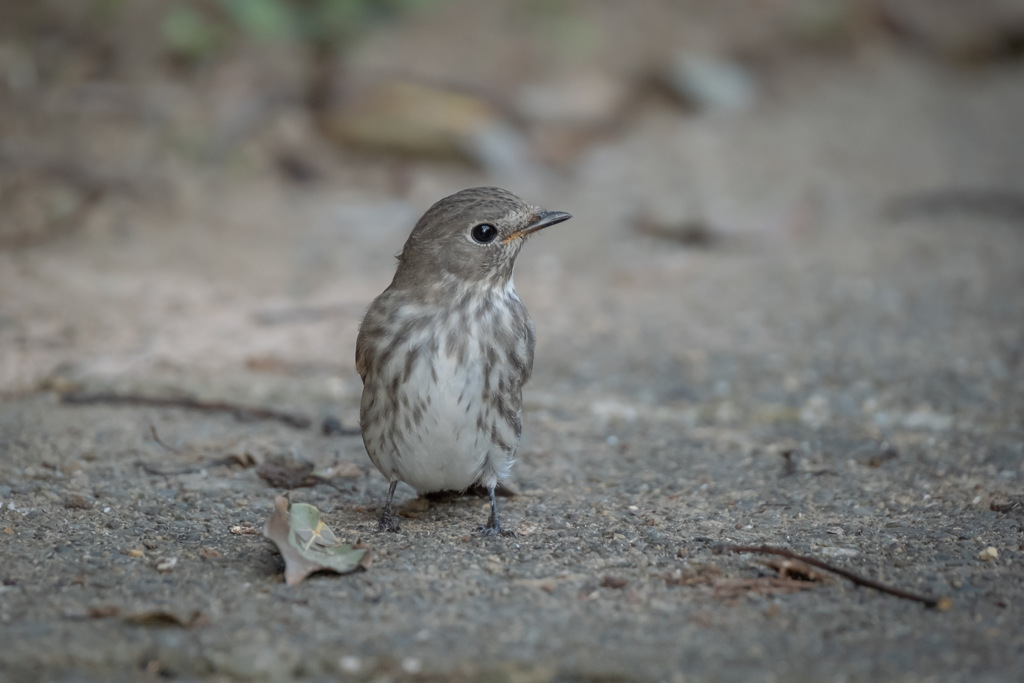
(308, 545)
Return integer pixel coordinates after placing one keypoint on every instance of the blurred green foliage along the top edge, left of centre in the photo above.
(195, 30)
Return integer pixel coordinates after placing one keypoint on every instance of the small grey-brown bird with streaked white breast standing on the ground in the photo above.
(445, 351)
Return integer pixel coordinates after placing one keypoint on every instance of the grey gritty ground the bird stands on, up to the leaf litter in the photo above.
(829, 372)
